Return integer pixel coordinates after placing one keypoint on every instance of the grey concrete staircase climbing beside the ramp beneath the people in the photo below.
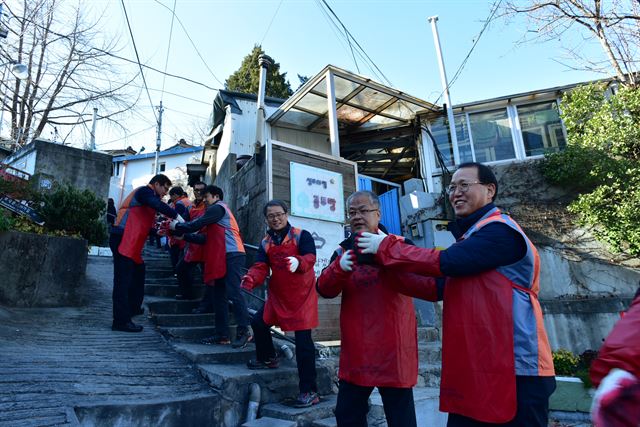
(225, 369)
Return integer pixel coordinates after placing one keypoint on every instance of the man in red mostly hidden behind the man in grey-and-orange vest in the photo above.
(193, 252)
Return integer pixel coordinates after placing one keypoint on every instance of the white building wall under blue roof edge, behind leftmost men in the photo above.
(138, 172)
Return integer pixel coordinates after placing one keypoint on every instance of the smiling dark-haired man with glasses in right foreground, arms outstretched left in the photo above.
(497, 367)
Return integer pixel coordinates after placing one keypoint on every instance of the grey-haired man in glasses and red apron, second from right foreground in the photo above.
(377, 325)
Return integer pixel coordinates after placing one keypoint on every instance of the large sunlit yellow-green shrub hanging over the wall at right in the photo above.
(601, 163)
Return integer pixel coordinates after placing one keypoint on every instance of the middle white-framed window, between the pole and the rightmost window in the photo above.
(491, 132)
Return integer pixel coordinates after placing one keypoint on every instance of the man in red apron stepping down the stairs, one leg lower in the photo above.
(292, 303)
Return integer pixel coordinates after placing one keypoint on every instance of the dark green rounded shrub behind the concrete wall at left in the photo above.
(74, 212)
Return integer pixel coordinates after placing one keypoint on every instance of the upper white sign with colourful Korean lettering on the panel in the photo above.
(316, 193)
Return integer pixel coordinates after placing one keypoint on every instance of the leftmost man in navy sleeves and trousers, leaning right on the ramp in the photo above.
(136, 217)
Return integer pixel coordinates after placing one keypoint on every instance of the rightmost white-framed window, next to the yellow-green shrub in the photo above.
(542, 130)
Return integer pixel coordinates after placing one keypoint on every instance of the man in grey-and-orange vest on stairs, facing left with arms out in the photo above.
(224, 261)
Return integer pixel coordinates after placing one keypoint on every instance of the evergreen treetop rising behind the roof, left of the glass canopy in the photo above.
(247, 78)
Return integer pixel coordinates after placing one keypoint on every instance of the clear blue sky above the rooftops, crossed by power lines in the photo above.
(394, 33)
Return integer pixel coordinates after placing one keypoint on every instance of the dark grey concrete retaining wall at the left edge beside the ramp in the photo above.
(57, 281)
